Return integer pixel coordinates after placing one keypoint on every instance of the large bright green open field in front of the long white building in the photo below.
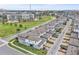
(7, 29)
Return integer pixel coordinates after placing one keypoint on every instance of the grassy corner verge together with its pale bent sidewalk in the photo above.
(26, 49)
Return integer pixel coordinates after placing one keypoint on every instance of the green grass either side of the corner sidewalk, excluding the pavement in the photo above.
(33, 50)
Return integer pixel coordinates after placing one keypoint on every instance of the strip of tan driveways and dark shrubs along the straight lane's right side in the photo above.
(63, 47)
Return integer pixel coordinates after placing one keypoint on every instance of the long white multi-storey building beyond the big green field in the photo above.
(22, 16)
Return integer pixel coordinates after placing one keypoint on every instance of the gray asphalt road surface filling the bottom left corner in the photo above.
(6, 50)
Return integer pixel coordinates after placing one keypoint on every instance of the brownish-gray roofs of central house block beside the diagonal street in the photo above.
(34, 34)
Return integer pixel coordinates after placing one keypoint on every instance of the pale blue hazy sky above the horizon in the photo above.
(40, 6)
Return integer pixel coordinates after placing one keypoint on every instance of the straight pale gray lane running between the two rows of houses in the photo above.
(53, 50)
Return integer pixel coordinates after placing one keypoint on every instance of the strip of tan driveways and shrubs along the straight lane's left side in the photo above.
(52, 38)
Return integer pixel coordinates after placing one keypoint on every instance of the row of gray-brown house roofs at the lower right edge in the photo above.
(73, 44)
